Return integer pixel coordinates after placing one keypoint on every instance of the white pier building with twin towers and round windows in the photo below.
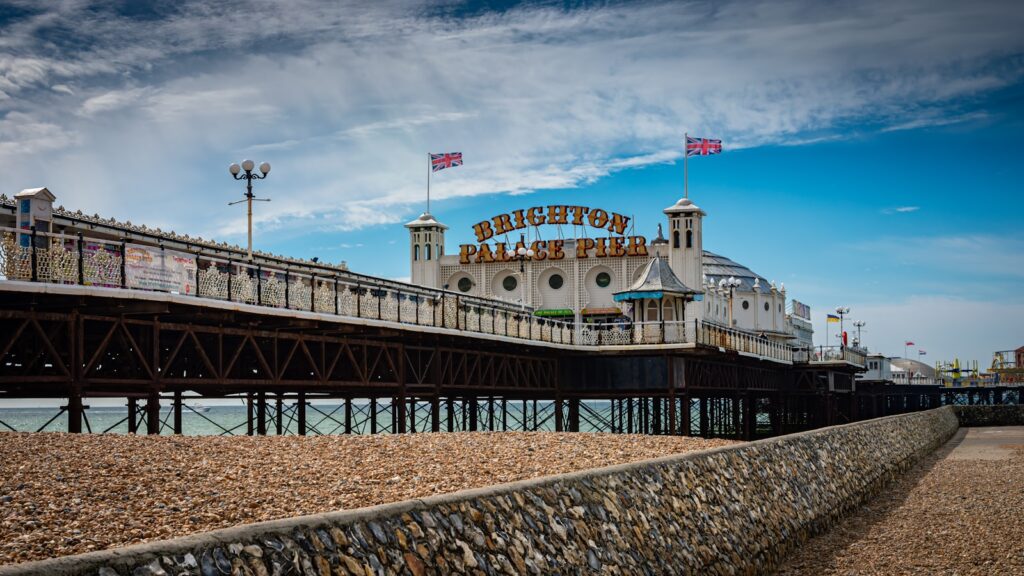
(600, 273)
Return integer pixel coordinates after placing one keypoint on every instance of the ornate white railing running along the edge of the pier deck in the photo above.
(77, 260)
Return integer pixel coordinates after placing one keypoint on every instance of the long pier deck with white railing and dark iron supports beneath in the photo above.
(97, 309)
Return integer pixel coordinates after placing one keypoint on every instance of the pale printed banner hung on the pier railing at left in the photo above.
(152, 269)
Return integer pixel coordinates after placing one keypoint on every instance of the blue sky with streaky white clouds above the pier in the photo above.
(873, 150)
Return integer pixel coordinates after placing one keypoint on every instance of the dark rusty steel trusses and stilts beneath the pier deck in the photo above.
(303, 376)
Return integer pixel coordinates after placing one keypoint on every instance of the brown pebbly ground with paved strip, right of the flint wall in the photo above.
(959, 512)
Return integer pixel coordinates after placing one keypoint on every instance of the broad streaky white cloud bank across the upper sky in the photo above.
(347, 101)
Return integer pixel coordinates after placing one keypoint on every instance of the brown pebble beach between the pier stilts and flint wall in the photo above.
(64, 495)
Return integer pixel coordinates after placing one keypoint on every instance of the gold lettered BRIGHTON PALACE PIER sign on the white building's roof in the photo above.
(616, 245)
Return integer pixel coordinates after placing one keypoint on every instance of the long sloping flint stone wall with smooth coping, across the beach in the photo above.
(730, 511)
